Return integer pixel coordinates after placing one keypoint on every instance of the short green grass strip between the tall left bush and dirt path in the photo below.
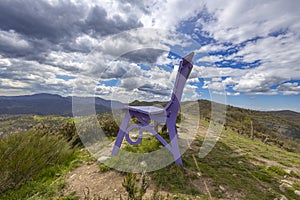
(49, 182)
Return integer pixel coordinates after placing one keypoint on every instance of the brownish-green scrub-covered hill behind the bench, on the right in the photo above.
(281, 128)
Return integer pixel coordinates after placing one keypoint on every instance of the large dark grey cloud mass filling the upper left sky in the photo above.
(47, 25)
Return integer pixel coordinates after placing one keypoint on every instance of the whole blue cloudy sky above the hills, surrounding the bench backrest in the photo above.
(126, 50)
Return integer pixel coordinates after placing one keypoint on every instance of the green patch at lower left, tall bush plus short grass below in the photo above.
(33, 164)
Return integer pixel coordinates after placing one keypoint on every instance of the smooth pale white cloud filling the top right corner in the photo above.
(239, 20)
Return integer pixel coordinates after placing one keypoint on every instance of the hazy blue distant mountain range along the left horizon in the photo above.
(47, 104)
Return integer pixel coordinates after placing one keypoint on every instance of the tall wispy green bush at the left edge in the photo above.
(22, 156)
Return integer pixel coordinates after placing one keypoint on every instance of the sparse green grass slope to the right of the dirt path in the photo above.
(262, 181)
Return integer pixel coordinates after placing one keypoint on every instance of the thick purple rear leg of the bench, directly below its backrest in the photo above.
(174, 144)
